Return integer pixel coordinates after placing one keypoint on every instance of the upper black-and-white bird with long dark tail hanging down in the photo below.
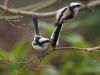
(63, 15)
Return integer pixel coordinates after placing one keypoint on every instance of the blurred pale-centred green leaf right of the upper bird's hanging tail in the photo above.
(75, 39)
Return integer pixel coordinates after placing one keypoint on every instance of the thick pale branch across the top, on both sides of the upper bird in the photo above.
(45, 14)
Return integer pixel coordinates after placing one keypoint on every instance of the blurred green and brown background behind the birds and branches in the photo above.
(82, 31)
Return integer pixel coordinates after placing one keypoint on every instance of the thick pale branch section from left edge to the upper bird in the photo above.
(28, 13)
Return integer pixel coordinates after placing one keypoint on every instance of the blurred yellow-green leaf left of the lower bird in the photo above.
(20, 50)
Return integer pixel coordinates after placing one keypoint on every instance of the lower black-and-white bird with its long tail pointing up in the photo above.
(39, 43)
